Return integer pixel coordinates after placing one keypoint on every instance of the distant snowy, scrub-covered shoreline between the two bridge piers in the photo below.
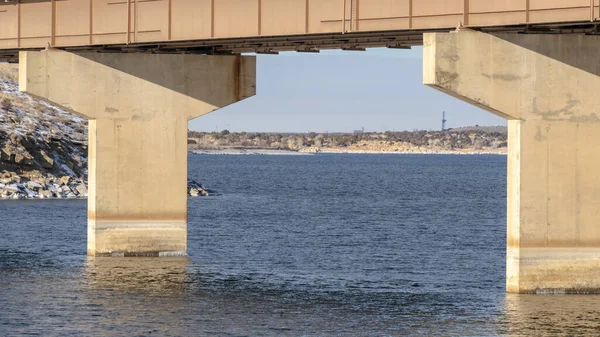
(477, 140)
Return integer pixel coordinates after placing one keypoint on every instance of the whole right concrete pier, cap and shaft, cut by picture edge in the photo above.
(546, 86)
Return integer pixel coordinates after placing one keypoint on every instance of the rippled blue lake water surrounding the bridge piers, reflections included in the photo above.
(340, 245)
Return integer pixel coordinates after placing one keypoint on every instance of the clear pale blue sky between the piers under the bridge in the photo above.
(342, 91)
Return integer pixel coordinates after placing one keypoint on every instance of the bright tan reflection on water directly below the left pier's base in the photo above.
(166, 276)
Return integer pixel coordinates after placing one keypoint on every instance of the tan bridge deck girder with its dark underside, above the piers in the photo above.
(236, 26)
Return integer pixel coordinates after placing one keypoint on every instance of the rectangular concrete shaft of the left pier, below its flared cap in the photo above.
(138, 186)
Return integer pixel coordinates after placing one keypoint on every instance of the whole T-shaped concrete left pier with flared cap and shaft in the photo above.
(139, 106)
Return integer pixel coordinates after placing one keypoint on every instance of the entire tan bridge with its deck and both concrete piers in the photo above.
(140, 69)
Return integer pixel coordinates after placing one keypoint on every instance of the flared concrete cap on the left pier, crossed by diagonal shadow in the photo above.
(109, 86)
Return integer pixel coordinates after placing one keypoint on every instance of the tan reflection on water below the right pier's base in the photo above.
(552, 315)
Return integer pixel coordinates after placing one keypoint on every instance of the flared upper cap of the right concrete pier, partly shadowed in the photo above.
(517, 76)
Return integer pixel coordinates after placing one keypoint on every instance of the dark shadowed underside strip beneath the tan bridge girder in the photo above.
(311, 43)
